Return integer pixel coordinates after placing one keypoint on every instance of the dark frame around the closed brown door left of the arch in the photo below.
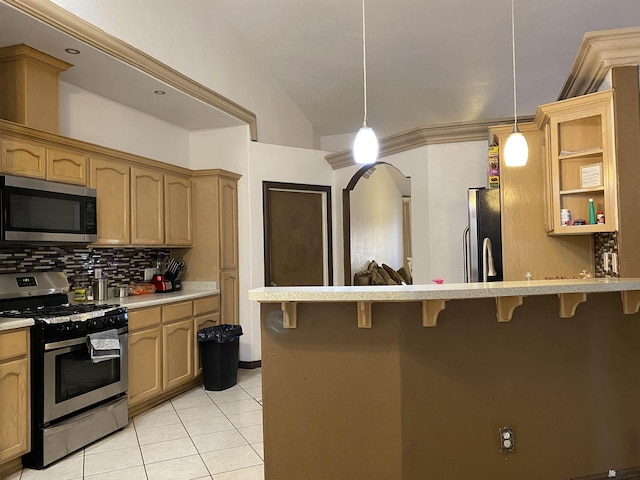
(267, 187)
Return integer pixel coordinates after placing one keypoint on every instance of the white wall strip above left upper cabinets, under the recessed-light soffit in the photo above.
(94, 119)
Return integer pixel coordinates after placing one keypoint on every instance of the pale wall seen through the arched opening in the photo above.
(376, 222)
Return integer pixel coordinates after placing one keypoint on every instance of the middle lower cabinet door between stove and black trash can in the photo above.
(177, 340)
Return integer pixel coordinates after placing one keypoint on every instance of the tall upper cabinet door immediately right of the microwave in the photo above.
(112, 183)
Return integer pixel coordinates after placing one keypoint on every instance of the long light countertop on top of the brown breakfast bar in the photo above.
(408, 293)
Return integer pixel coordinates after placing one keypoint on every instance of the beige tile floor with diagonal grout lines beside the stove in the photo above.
(199, 435)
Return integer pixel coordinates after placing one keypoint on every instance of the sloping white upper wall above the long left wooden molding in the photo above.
(198, 44)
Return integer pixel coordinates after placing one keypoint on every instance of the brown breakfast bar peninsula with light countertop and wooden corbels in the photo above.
(415, 382)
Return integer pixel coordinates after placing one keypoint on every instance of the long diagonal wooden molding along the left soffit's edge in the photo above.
(59, 18)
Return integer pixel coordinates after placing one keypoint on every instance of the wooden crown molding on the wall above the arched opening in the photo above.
(420, 136)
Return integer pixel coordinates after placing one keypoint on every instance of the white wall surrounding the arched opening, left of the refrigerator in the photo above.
(440, 176)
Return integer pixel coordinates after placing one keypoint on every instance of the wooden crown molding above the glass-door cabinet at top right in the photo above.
(599, 52)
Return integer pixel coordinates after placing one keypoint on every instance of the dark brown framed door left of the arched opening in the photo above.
(297, 234)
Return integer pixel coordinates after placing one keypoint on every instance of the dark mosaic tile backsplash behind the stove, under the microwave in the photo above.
(120, 265)
